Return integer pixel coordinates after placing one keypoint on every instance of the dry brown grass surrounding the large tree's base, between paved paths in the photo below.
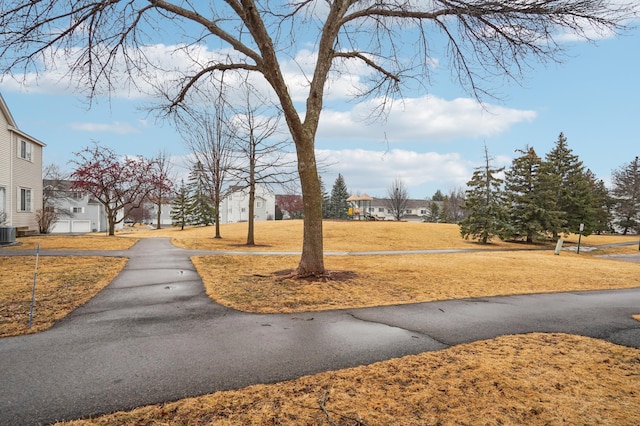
(248, 283)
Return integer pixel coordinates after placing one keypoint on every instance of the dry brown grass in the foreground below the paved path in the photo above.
(534, 379)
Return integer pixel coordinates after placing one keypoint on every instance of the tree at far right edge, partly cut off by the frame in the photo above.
(626, 193)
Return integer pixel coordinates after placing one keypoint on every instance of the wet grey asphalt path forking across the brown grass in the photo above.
(153, 335)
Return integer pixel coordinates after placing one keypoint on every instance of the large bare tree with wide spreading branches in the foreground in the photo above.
(482, 38)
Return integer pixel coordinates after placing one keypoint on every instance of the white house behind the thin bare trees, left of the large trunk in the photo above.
(235, 206)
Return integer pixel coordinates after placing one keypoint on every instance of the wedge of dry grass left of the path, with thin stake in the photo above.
(63, 284)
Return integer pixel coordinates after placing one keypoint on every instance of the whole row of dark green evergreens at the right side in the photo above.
(543, 198)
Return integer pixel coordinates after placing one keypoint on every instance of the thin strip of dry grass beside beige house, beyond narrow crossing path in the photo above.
(72, 242)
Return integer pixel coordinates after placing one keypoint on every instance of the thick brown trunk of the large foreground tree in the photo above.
(312, 259)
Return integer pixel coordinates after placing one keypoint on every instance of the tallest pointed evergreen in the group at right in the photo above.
(572, 191)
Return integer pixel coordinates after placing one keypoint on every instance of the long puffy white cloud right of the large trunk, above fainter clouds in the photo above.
(424, 119)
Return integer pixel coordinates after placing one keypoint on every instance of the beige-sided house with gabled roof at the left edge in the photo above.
(20, 175)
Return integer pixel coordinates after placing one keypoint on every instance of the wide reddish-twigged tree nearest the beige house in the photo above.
(121, 185)
